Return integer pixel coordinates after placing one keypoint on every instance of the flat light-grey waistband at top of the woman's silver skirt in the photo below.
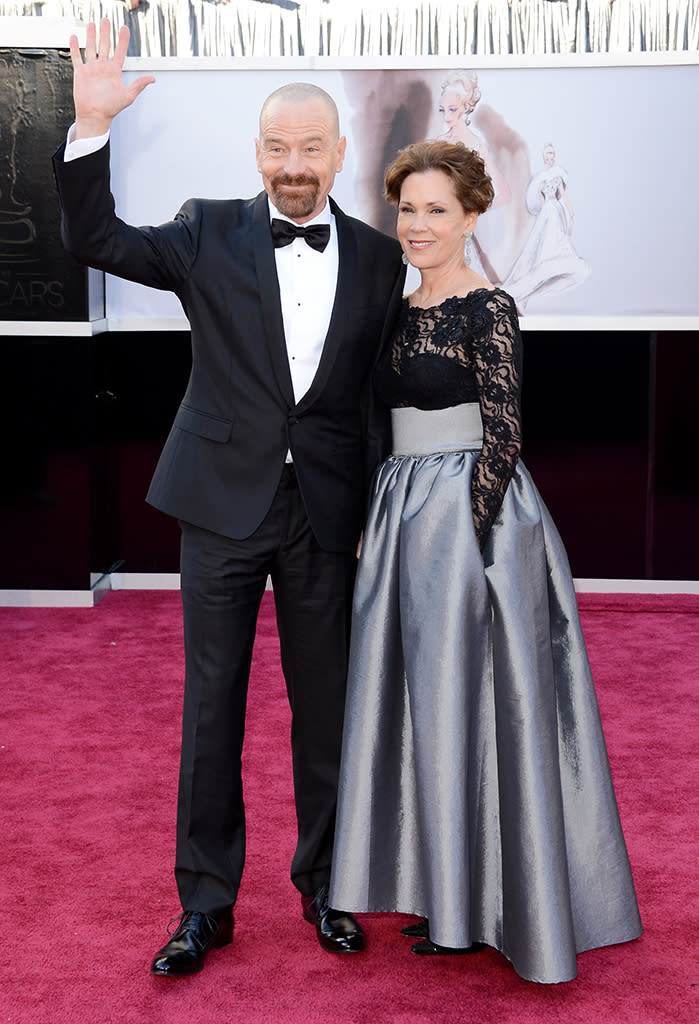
(422, 432)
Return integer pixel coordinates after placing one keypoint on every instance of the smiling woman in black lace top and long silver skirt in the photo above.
(475, 788)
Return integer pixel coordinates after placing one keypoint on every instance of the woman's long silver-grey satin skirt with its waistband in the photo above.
(475, 787)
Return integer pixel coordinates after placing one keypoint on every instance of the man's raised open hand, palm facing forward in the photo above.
(99, 91)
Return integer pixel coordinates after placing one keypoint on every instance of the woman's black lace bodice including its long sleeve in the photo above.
(466, 350)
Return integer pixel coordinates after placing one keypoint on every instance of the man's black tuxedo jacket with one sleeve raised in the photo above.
(224, 458)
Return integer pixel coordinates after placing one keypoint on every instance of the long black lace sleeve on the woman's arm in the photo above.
(498, 366)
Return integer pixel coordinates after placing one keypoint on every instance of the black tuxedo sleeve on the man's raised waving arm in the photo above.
(92, 232)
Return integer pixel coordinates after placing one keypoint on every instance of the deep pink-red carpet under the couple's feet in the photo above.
(89, 755)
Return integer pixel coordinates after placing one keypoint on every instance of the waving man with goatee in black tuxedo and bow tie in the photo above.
(267, 466)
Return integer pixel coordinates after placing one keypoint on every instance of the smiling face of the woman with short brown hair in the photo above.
(432, 224)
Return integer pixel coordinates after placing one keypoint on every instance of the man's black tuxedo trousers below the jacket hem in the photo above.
(223, 583)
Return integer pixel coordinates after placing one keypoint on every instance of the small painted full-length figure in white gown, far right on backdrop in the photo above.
(548, 262)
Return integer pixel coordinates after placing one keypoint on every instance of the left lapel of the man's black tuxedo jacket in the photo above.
(269, 286)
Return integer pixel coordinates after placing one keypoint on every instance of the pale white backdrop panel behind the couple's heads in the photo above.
(625, 136)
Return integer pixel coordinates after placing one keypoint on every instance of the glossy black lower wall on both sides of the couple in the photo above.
(611, 439)
